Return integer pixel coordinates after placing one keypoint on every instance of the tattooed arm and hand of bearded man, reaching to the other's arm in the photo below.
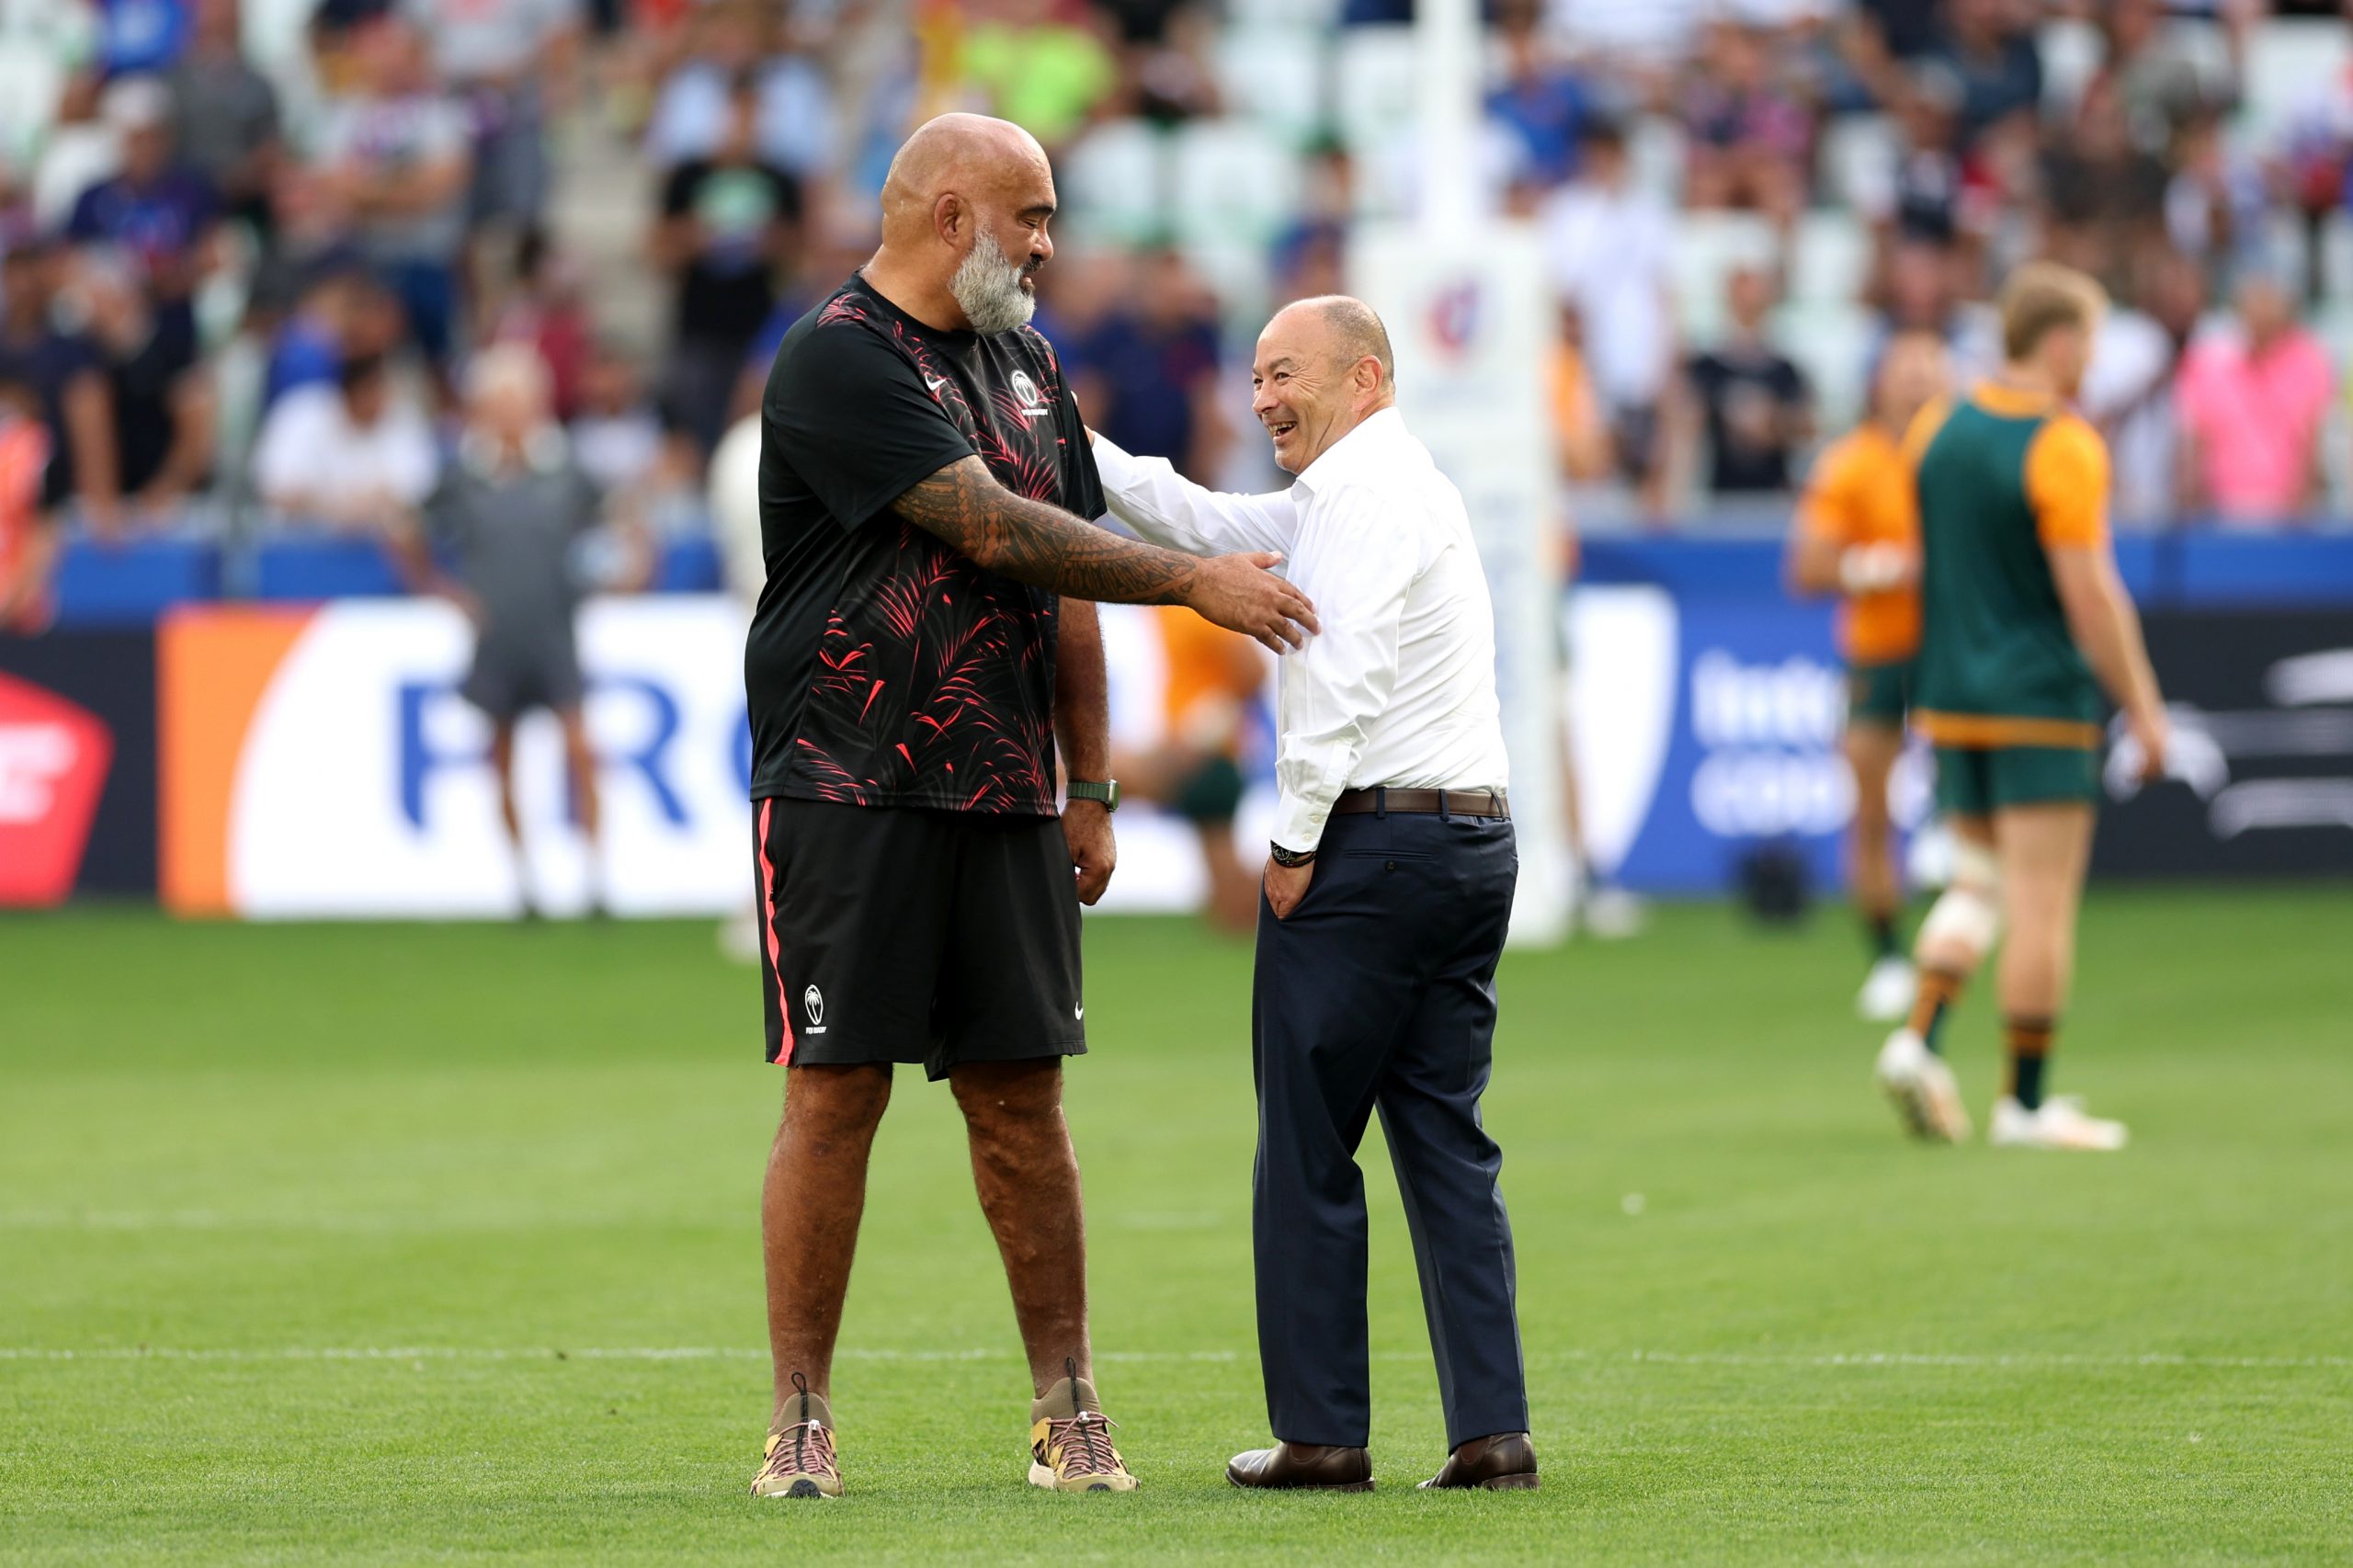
(1044, 545)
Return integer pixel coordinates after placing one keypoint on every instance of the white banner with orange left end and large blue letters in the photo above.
(319, 762)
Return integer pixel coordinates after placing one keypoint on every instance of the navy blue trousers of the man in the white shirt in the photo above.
(1378, 992)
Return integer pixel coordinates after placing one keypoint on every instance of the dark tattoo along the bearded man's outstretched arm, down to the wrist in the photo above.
(1041, 545)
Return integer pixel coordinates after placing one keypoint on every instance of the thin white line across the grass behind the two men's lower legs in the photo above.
(747, 1353)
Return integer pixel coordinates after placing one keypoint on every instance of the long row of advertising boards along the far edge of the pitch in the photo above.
(307, 755)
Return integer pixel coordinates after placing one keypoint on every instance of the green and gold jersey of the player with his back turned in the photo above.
(2006, 477)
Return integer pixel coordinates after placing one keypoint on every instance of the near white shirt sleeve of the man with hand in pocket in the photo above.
(1357, 557)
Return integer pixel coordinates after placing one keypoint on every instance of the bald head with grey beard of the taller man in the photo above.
(966, 213)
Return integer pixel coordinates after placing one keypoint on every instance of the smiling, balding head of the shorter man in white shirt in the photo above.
(1324, 368)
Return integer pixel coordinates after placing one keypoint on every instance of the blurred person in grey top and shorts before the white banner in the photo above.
(500, 538)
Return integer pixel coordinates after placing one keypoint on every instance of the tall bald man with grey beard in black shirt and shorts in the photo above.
(921, 644)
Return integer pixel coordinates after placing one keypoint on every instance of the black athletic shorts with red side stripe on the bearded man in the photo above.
(916, 936)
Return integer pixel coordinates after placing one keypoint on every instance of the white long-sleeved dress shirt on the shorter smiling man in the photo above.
(1399, 686)
